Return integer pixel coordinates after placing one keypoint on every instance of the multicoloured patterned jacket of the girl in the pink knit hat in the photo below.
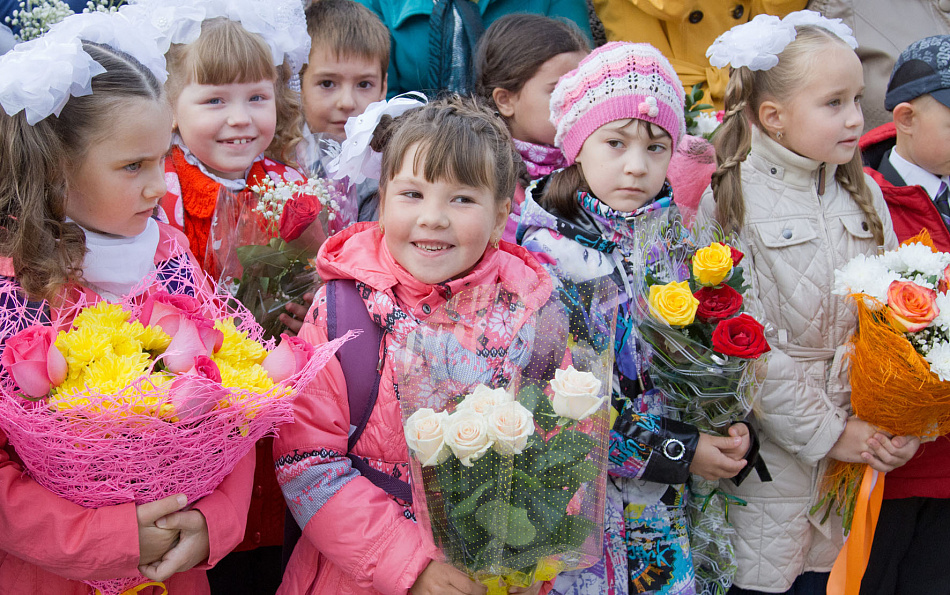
(646, 544)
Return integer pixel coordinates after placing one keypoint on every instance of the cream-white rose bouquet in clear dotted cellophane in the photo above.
(506, 416)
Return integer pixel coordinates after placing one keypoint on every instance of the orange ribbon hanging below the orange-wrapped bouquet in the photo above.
(849, 568)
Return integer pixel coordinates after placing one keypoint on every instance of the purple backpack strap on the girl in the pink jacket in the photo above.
(345, 311)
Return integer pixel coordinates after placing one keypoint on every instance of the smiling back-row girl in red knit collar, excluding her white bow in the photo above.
(236, 120)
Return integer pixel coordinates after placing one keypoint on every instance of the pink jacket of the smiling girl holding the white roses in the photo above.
(356, 538)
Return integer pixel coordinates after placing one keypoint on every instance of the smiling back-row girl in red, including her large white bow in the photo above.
(236, 121)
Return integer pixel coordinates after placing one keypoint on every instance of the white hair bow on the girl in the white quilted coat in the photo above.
(758, 43)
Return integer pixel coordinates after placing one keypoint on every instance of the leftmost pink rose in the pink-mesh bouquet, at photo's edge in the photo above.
(33, 360)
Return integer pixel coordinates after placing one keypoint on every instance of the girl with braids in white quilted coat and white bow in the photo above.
(802, 207)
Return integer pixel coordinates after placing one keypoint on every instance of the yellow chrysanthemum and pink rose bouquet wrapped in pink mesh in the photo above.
(162, 394)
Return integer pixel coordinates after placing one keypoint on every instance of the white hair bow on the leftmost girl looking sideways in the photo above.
(39, 76)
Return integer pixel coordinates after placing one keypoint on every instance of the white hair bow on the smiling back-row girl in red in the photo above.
(281, 23)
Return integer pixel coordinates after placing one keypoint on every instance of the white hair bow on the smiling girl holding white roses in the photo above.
(357, 160)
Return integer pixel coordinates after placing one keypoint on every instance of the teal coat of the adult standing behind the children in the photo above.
(408, 23)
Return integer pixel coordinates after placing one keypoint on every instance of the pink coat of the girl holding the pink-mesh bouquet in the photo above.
(46, 540)
